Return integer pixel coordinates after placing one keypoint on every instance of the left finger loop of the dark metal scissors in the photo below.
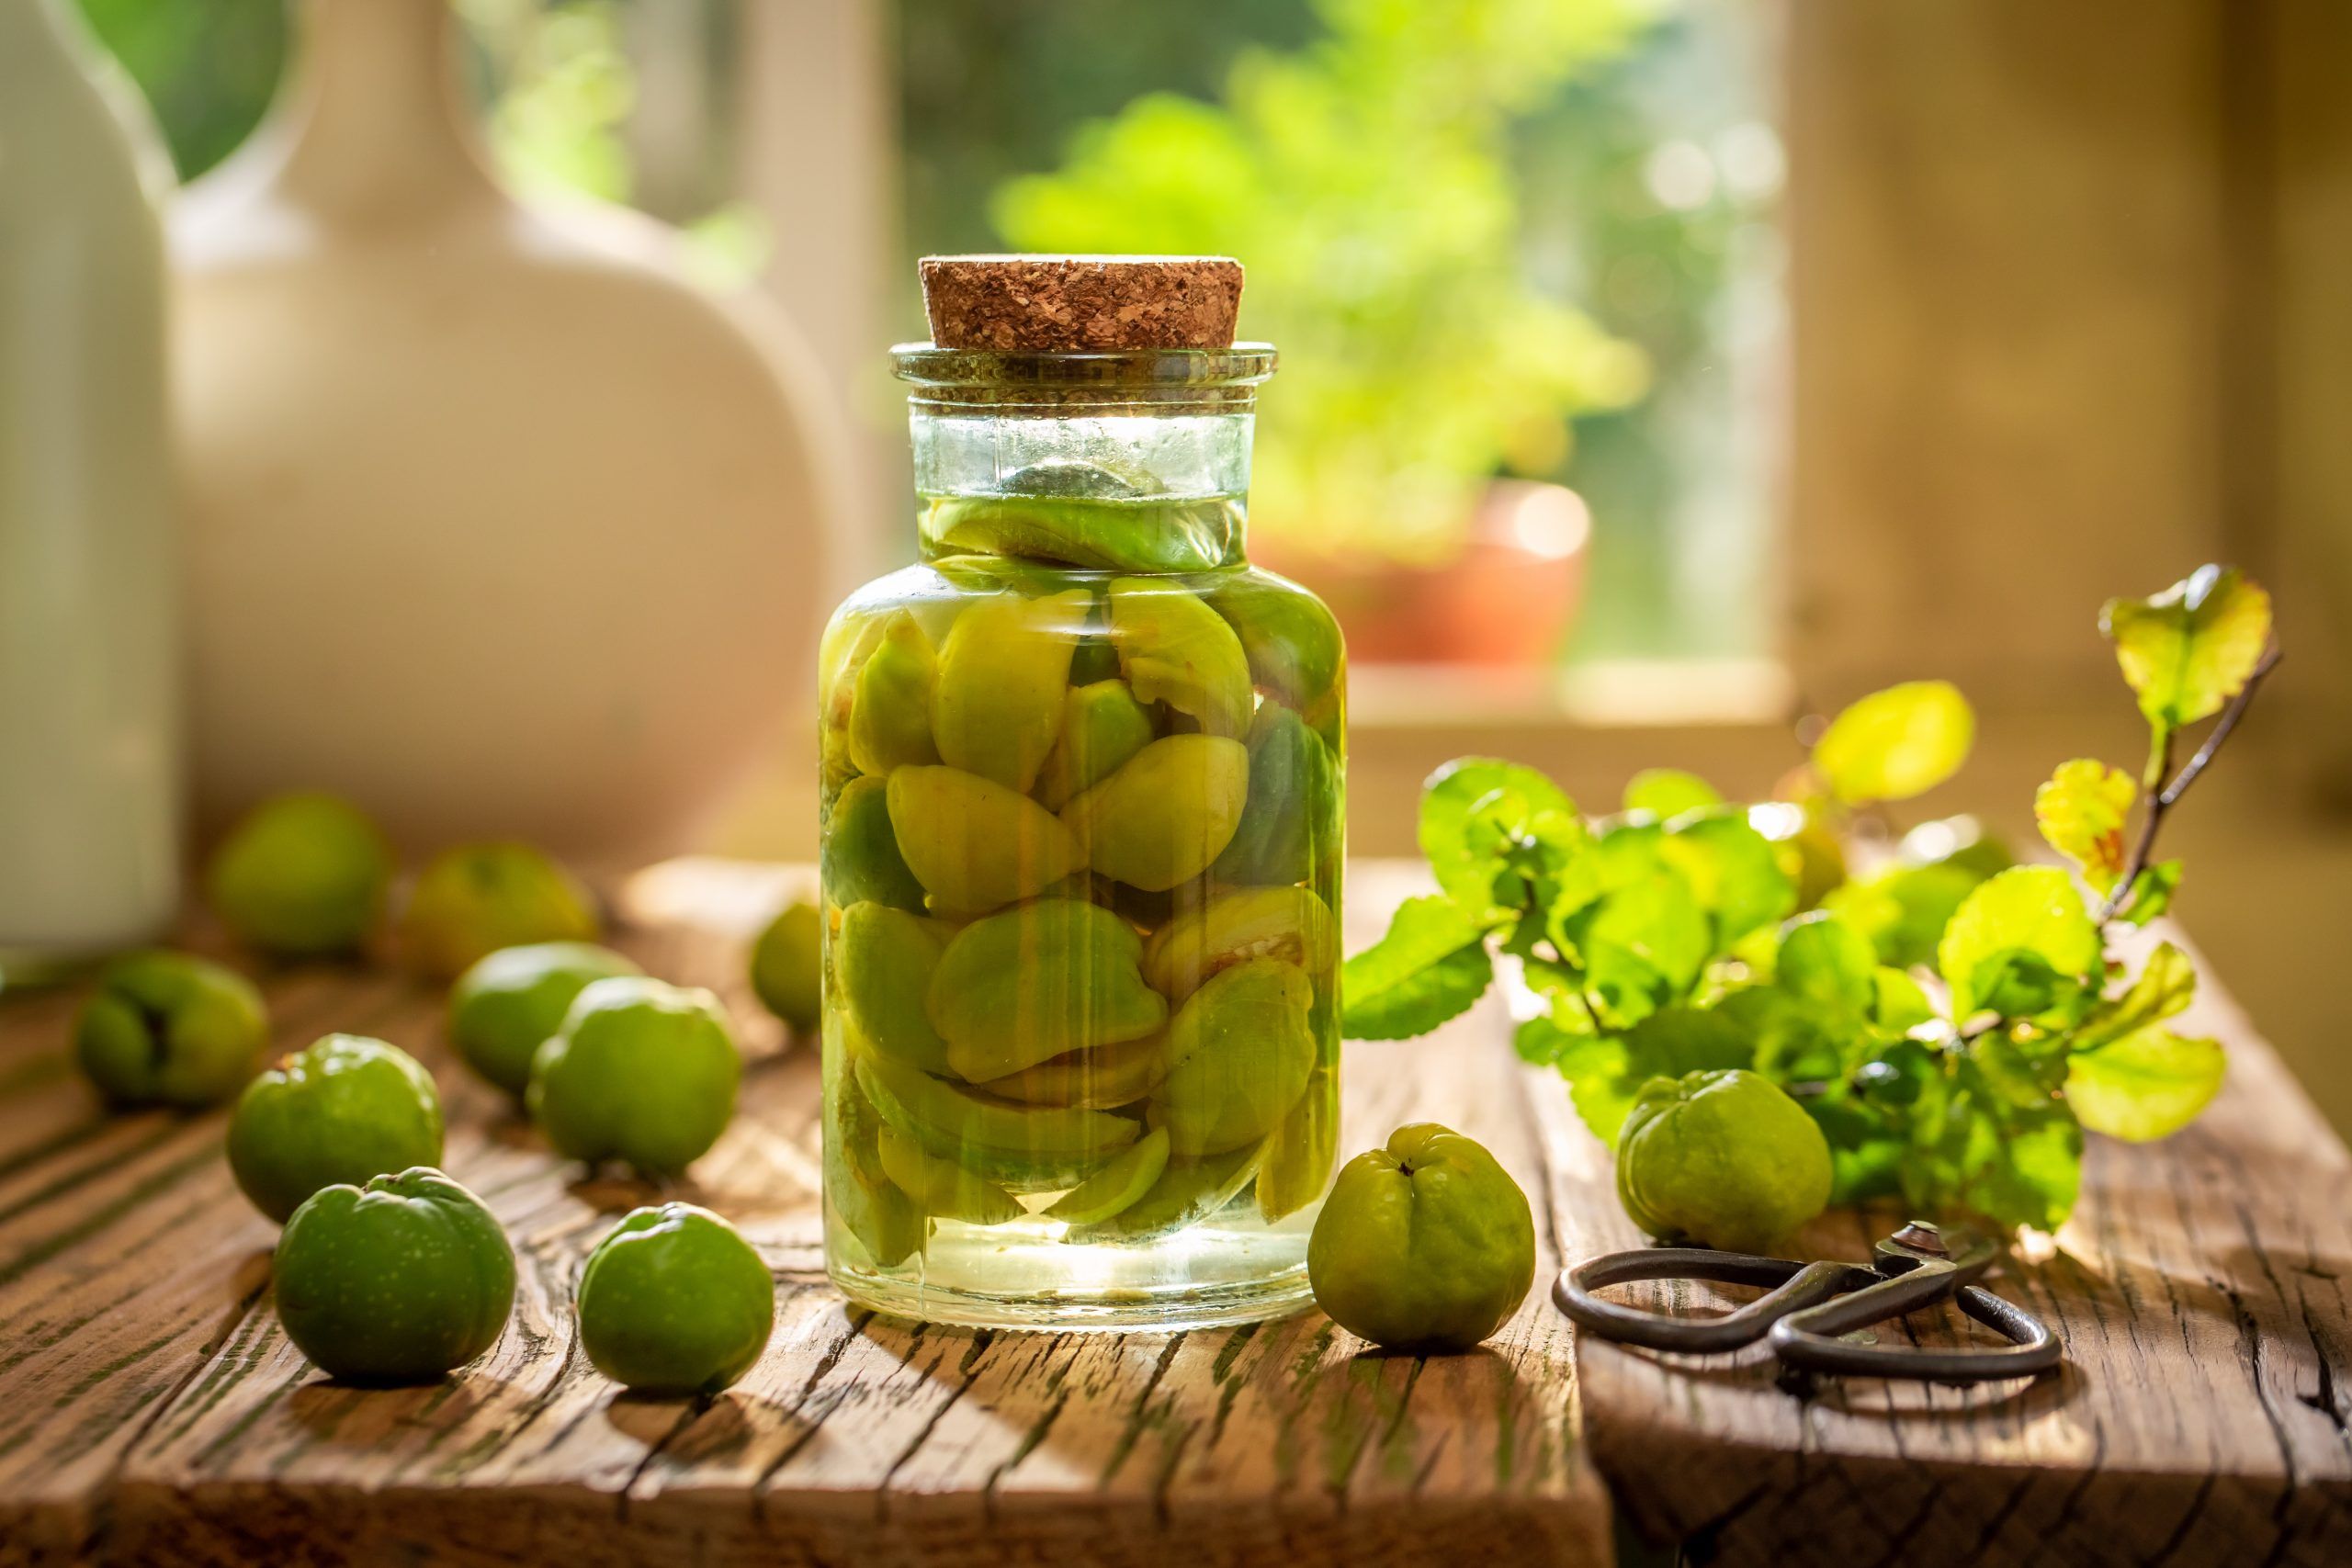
(1796, 1287)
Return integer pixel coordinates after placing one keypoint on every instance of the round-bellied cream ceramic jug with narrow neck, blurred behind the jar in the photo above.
(497, 523)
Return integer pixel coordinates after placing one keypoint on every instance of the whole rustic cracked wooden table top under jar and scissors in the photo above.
(154, 1414)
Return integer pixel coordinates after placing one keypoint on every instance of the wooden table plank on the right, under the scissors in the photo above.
(2200, 1416)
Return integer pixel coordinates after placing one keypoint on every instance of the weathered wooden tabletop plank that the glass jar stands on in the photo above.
(154, 1414)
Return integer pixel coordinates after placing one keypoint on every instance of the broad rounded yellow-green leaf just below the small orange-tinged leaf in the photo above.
(2017, 937)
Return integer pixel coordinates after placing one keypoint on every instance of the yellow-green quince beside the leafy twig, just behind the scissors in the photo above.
(1725, 1160)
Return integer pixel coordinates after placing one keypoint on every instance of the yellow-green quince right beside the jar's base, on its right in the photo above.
(1424, 1245)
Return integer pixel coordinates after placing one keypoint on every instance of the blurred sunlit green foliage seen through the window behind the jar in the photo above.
(1490, 236)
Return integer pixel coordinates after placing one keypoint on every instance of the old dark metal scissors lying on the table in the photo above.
(1812, 1306)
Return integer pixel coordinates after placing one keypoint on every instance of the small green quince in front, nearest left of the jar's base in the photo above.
(676, 1301)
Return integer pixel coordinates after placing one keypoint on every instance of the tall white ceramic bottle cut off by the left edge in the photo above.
(88, 594)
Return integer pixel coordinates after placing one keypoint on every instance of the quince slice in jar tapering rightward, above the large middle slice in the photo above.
(977, 845)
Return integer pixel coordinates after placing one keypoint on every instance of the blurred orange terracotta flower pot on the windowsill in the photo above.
(1506, 601)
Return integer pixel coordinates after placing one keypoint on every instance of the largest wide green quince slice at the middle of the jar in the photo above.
(1036, 981)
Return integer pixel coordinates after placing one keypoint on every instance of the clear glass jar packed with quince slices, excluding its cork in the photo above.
(1081, 838)
